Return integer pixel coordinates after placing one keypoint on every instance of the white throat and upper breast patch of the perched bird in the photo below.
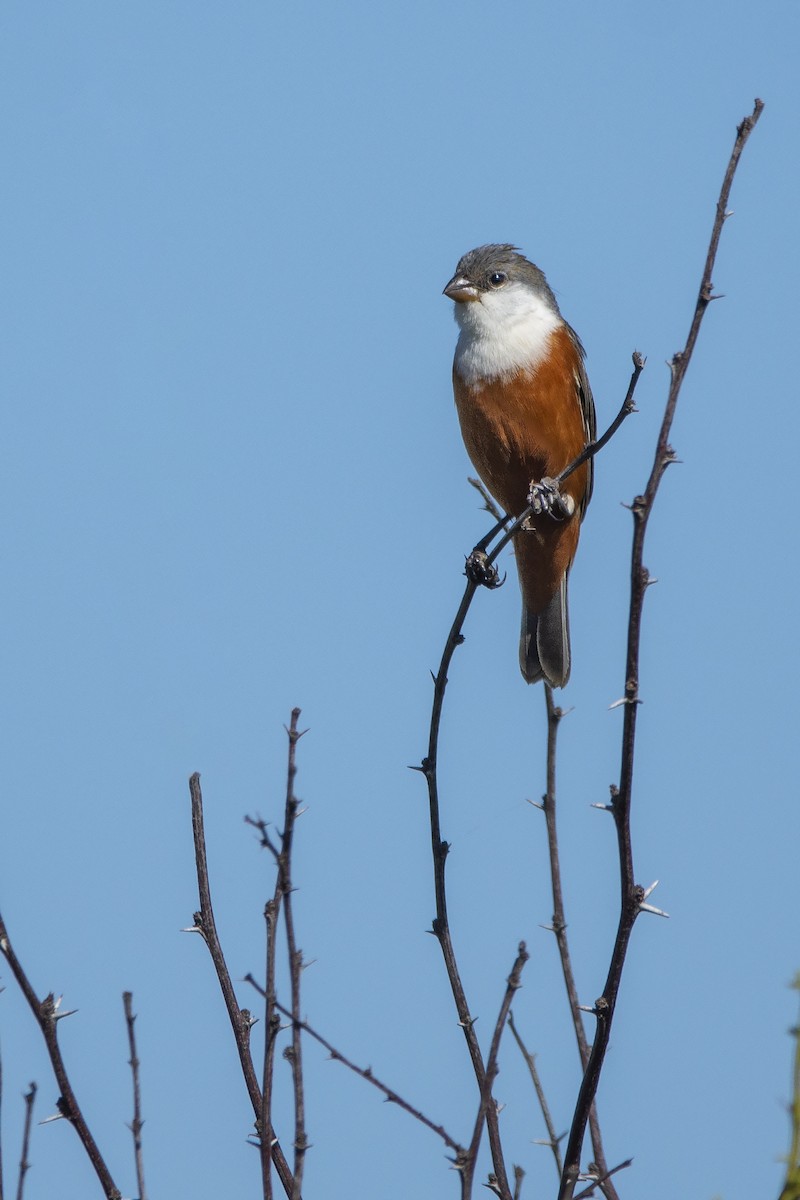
(502, 333)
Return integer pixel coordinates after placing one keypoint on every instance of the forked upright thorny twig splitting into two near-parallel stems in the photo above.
(284, 890)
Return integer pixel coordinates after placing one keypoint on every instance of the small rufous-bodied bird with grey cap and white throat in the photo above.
(526, 412)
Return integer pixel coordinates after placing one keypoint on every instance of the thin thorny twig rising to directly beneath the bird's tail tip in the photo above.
(555, 716)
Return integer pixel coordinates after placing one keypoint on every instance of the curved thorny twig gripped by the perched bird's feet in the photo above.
(480, 571)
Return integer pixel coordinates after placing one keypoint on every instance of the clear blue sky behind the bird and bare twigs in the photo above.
(232, 482)
